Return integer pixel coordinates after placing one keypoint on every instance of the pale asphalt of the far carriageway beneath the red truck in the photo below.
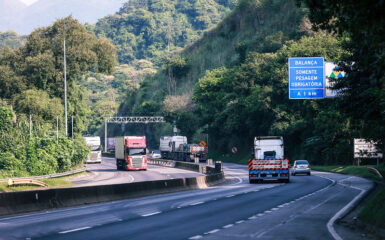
(106, 173)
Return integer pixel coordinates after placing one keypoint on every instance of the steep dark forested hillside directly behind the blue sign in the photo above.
(233, 85)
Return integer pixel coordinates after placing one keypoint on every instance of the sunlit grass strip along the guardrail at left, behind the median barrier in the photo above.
(58, 182)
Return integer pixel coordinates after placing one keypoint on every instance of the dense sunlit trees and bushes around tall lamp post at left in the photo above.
(32, 85)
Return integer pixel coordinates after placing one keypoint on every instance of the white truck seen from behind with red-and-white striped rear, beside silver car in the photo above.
(268, 162)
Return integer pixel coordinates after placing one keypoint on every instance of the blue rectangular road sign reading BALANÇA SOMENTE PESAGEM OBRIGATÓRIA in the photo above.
(306, 78)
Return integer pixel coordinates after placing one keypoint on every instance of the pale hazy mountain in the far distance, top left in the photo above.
(14, 15)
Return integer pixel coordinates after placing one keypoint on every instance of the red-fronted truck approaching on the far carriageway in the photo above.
(131, 153)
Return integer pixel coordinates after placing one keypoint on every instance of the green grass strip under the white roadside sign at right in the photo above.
(359, 171)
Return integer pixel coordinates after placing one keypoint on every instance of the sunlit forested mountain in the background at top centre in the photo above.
(152, 29)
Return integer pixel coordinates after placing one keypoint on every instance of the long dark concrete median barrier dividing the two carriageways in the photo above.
(28, 201)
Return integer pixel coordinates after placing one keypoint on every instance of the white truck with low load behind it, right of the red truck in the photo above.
(177, 148)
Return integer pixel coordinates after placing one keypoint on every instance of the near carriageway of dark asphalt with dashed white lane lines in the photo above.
(302, 209)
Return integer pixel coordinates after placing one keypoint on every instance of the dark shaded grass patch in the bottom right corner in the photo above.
(374, 211)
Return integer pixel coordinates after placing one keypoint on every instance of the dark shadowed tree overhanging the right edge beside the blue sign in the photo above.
(362, 24)
